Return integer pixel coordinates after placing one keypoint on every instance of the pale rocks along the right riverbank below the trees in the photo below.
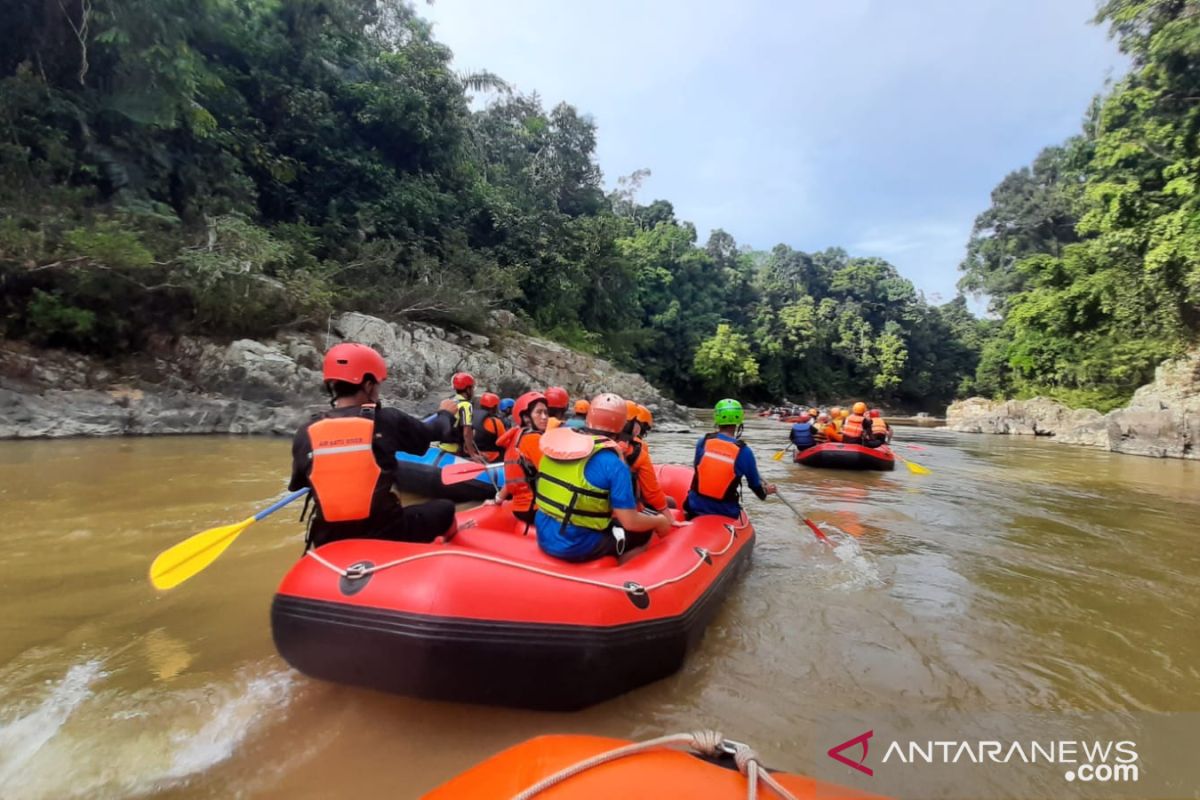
(1162, 420)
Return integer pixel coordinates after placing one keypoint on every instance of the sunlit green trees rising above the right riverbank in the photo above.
(1093, 257)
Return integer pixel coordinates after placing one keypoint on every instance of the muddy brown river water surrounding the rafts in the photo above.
(1018, 576)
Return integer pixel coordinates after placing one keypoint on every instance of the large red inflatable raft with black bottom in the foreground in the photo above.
(489, 618)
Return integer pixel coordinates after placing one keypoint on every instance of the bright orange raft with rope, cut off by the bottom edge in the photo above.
(646, 774)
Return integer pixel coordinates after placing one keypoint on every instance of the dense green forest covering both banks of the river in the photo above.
(236, 167)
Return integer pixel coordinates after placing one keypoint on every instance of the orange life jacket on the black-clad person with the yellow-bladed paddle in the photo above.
(343, 470)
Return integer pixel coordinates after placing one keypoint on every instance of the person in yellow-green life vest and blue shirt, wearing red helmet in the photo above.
(586, 504)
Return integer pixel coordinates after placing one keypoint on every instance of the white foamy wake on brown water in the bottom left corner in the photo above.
(86, 739)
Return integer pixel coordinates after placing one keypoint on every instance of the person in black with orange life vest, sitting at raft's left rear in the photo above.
(347, 456)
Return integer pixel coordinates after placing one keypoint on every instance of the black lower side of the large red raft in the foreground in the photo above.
(542, 667)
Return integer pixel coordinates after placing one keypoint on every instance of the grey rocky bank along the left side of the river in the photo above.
(195, 386)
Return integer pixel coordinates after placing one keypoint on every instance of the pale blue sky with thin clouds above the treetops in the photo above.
(878, 127)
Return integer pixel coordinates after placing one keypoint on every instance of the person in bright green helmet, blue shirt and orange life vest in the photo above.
(722, 461)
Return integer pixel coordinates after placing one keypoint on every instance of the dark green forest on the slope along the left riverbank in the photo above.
(231, 167)
